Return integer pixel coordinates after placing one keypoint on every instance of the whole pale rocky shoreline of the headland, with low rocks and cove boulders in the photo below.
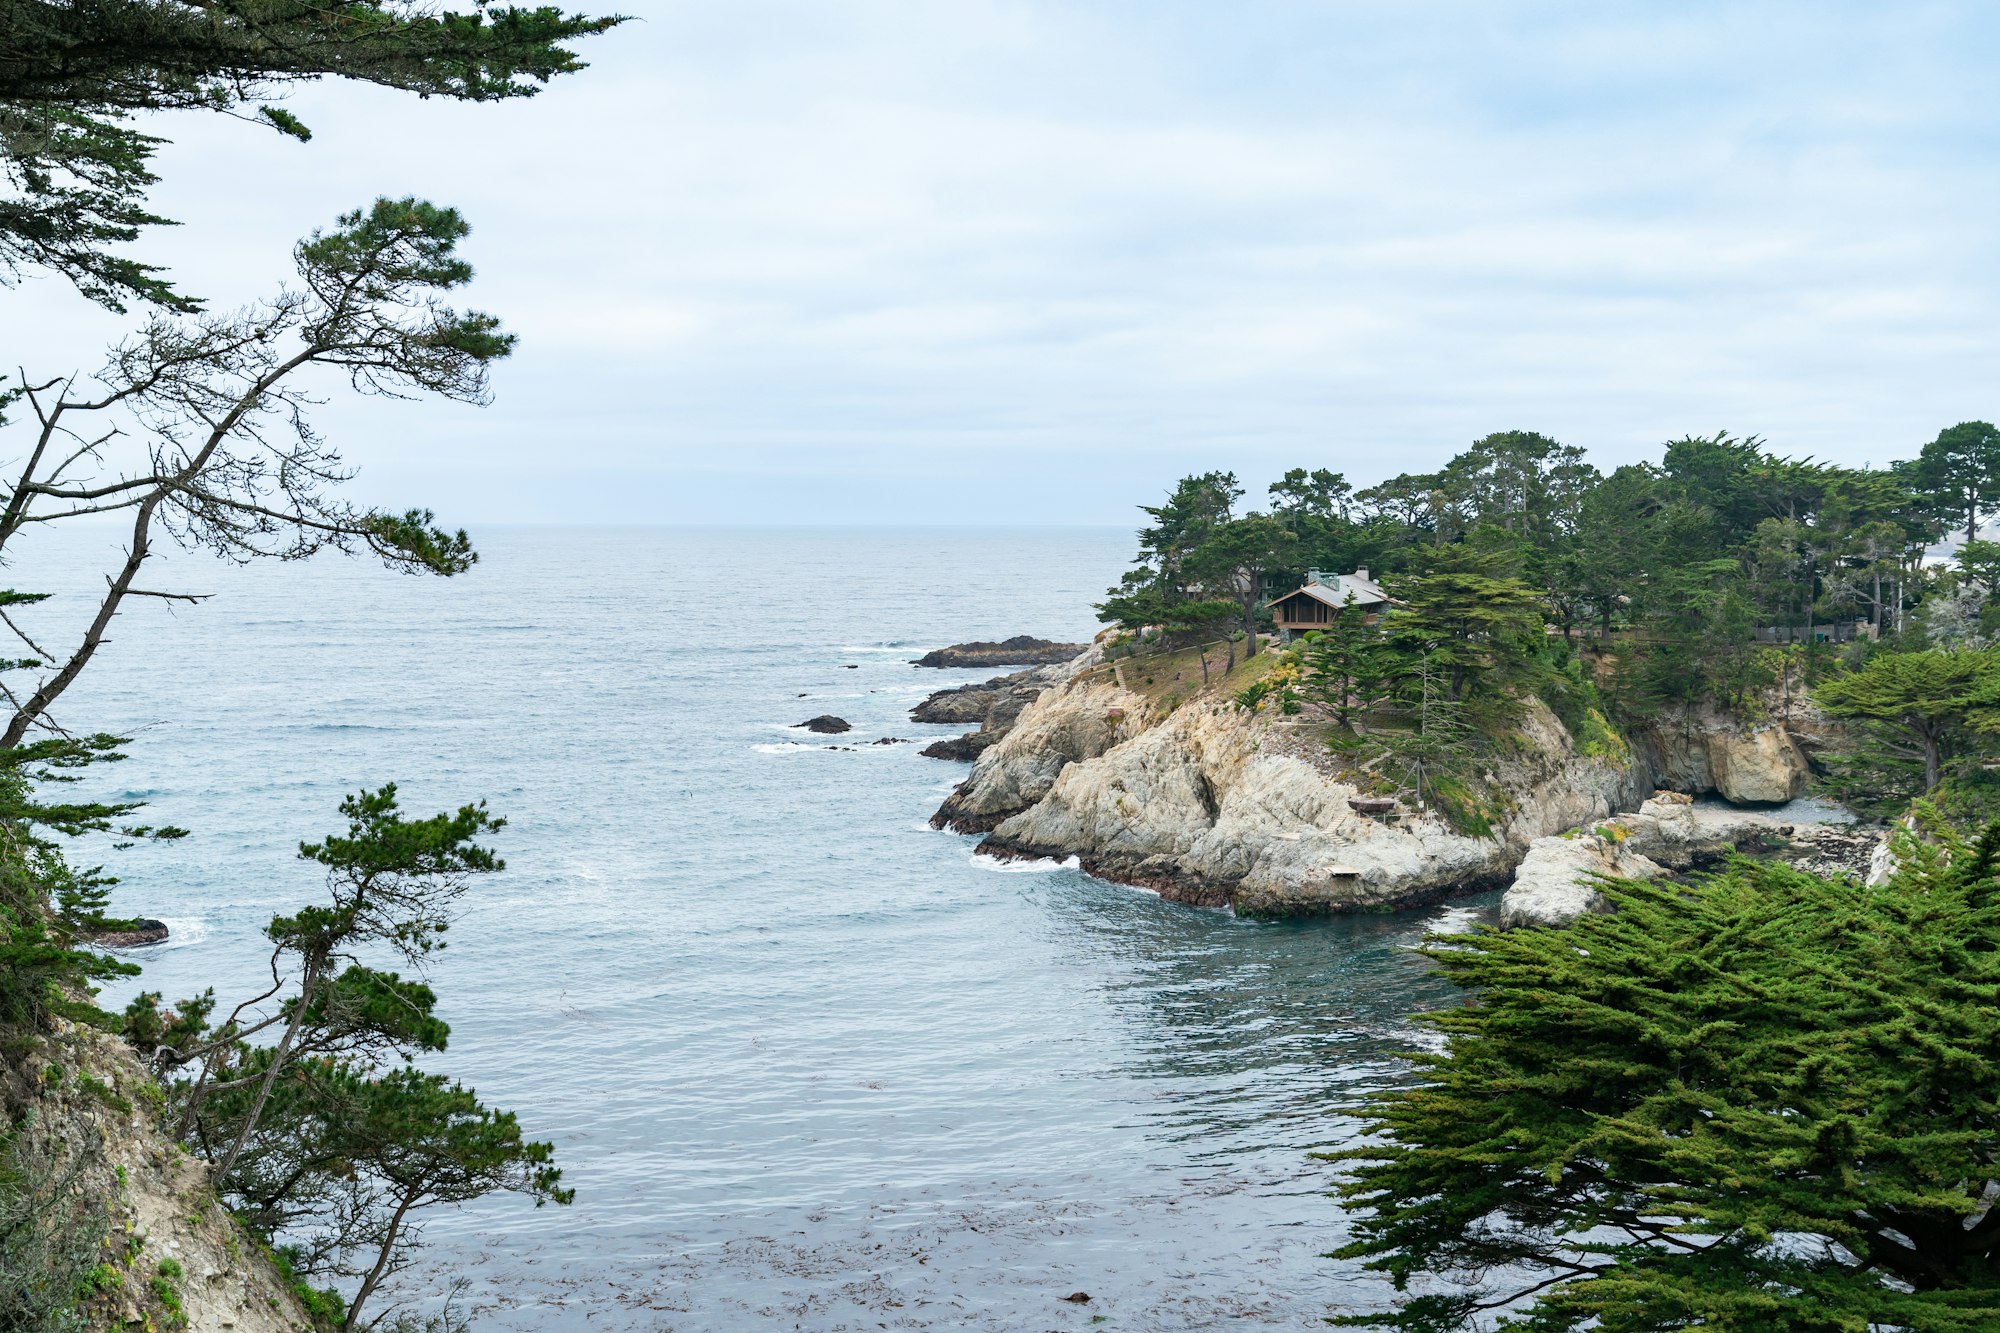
(1215, 806)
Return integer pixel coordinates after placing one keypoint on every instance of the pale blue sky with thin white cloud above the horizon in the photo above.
(977, 261)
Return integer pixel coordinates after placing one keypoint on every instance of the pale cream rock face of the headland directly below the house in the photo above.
(1197, 808)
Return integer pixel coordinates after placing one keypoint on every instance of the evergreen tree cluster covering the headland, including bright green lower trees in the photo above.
(1519, 571)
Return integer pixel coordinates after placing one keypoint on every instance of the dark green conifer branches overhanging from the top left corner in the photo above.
(75, 75)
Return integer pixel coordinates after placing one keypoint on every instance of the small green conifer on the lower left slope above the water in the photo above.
(329, 1142)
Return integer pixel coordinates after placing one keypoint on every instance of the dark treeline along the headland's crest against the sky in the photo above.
(1685, 563)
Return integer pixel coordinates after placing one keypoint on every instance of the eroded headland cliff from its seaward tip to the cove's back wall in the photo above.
(1217, 806)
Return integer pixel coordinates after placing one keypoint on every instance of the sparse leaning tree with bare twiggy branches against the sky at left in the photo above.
(225, 455)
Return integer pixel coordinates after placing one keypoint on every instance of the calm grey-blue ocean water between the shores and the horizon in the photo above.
(805, 1060)
